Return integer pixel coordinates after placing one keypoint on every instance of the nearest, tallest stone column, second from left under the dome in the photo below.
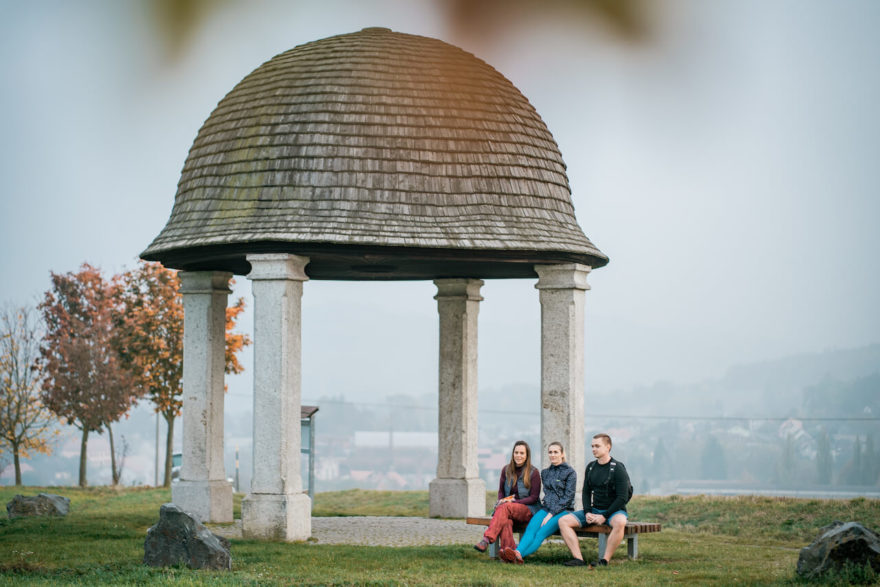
(276, 508)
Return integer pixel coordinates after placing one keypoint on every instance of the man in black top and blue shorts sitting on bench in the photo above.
(606, 491)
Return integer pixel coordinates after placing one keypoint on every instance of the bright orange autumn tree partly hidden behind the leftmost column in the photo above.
(152, 341)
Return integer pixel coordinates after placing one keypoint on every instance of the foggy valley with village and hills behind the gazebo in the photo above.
(807, 425)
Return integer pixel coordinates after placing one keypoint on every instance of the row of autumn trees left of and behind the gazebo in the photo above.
(92, 348)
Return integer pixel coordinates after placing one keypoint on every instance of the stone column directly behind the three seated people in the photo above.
(562, 290)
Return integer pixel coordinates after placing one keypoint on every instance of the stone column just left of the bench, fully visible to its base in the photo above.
(458, 491)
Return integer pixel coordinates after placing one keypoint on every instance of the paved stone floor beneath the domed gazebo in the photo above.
(381, 531)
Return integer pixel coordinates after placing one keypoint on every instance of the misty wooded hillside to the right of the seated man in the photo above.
(821, 435)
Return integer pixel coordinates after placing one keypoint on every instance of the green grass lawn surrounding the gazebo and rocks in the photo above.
(721, 541)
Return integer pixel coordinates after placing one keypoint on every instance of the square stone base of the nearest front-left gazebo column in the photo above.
(276, 516)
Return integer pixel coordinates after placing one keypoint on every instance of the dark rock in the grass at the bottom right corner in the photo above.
(838, 543)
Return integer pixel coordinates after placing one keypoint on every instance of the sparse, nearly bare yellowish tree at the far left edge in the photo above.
(25, 424)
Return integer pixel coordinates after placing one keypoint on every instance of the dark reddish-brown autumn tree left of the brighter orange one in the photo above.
(85, 382)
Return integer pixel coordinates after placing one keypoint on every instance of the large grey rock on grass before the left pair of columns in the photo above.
(179, 538)
